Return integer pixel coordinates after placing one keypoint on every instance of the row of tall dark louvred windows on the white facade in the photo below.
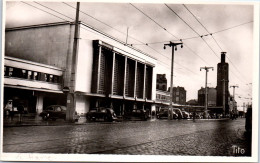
(103, 69)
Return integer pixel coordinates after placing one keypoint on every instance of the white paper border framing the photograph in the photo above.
(148, 158)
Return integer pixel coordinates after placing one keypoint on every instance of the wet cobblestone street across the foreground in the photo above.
(153, 137)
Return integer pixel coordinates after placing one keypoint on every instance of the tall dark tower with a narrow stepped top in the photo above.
(223, 83)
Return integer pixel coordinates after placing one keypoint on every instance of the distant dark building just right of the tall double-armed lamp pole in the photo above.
(179, 95)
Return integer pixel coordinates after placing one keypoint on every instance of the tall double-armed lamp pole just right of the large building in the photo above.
(174, 47)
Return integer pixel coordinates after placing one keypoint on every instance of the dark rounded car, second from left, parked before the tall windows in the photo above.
(102, 113)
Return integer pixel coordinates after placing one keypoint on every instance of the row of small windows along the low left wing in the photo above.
(32, 75)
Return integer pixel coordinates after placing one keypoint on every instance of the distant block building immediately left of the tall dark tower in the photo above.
(212, 94)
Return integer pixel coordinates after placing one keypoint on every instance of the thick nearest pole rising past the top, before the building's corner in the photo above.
(71, 95)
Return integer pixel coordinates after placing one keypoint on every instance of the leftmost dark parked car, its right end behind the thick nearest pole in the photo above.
(56, 112)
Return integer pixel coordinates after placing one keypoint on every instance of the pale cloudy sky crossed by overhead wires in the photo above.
(151, 25)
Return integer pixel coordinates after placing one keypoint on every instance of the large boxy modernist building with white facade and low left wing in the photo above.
(39, 63)
